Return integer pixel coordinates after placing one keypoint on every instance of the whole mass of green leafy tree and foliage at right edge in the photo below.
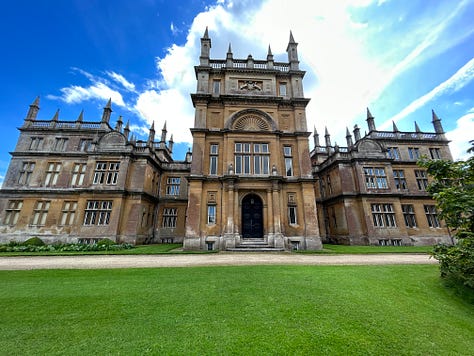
(453, 190)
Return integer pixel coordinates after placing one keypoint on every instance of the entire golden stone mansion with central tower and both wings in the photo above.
(250, 182)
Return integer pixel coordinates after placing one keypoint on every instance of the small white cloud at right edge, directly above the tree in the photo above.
(461, 135)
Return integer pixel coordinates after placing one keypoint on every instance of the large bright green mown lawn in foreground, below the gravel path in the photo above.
(246, 310)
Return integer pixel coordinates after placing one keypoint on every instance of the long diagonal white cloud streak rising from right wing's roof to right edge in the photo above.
(456, 82)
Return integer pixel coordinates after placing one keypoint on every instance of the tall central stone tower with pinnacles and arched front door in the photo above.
(251, 183)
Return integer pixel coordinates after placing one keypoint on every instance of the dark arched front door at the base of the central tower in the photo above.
(252, 217)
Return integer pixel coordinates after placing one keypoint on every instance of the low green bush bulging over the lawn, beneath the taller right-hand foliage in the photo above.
(457, 262)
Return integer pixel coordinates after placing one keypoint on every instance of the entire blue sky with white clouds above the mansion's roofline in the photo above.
(399, 58)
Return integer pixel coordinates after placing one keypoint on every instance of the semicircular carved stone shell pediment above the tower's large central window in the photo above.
(251, 120)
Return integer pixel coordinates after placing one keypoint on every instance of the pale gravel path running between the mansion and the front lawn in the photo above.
(218, 259)
